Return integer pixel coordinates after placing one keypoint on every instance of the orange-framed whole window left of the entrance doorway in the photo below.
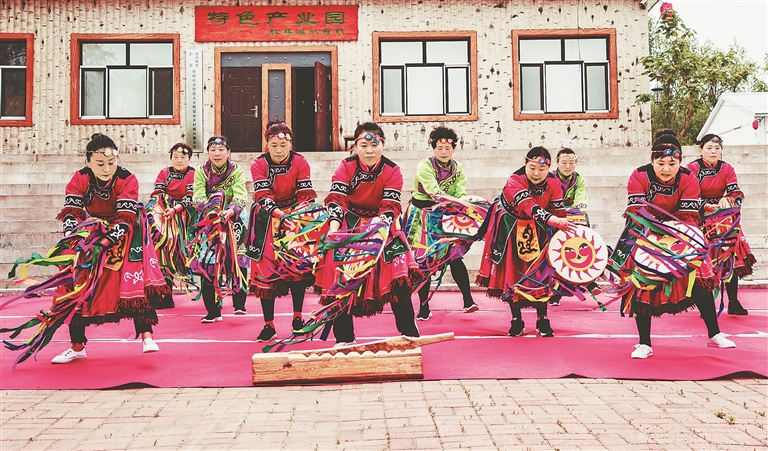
(126, 81)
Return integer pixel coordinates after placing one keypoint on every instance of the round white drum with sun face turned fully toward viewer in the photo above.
(578, 257)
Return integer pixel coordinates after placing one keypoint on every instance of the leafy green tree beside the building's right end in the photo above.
(692, 76)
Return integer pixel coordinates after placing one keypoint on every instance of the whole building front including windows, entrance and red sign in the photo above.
(507, 75)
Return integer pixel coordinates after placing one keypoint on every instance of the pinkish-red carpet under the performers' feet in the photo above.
(588, 343)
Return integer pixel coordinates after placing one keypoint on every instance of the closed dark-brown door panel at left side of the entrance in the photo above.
(241, 108)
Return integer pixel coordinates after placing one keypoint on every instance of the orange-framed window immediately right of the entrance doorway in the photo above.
(422, 76)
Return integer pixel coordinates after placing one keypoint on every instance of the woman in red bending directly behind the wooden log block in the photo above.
(366, 188)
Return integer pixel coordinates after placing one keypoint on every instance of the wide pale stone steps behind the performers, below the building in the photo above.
(32, 191)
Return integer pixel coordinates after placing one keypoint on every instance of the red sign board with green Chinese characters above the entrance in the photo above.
(275, 23)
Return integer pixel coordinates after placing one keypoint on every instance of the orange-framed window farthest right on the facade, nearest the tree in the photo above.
(564, 74)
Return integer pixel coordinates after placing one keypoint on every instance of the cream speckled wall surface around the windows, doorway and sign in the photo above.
(54, 21)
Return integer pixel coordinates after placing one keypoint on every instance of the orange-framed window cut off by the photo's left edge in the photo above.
(16, 53)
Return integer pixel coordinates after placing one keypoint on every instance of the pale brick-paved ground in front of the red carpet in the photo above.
(564, 414)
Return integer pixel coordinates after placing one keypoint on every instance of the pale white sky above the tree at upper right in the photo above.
(726, 21)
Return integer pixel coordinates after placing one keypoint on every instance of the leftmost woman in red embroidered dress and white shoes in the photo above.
(128, 282)
